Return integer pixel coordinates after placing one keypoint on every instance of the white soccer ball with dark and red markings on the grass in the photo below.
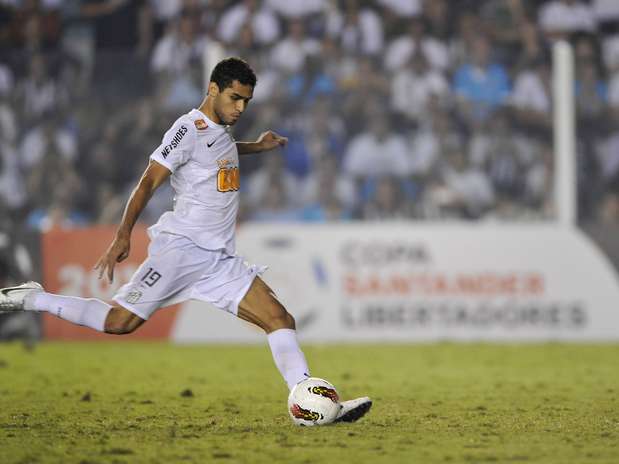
(313, 401)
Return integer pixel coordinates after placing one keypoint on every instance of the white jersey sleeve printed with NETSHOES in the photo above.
(177, 145)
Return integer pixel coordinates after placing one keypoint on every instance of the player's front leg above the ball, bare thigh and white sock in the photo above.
(260, 306)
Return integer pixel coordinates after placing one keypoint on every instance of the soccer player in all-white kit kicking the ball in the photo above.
(192, 250)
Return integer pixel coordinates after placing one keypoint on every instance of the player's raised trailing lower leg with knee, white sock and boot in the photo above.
(87, 312)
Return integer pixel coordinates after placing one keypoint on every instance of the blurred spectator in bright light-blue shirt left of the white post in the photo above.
(480, 85)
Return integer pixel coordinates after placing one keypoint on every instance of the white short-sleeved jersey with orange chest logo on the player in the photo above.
(204, 162)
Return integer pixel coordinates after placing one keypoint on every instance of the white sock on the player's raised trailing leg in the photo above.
(81, 311)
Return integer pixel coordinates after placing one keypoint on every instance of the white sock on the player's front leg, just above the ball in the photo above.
(288, 357)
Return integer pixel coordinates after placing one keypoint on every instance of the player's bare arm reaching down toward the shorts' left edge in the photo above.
(154, 175)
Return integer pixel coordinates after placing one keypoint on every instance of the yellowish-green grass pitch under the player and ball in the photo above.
(157, 403)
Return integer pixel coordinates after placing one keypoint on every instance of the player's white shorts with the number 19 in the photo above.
(178, 270)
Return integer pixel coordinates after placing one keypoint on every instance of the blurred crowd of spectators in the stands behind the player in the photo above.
(394, 109)
